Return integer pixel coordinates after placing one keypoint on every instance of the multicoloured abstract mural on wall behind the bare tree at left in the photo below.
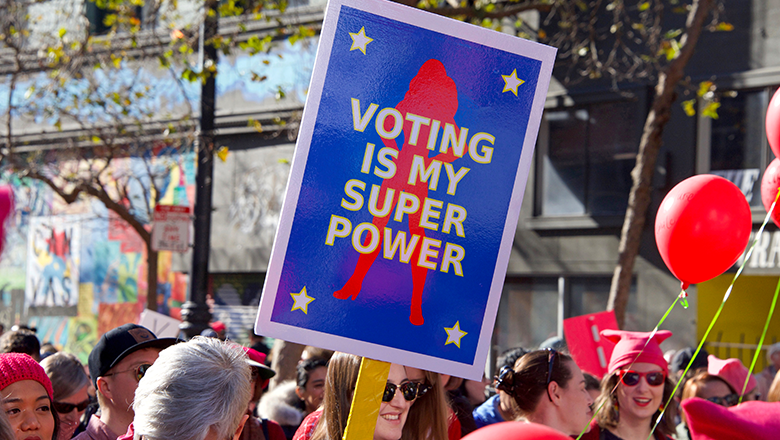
(76, 271)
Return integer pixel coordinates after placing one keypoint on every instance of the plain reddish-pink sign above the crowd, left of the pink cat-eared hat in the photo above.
(590, 351)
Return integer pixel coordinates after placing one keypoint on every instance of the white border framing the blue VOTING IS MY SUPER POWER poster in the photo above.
(454, 28)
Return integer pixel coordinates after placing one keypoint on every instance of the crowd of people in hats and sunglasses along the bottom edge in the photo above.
(137, 386)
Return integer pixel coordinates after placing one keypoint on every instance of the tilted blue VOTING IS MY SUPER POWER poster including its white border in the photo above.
(405, 189)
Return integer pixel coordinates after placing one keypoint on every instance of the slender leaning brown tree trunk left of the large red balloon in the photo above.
(641, 189)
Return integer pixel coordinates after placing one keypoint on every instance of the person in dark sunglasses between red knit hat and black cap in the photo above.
(70, 384)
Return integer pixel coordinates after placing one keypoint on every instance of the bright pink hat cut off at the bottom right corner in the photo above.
(754, 420)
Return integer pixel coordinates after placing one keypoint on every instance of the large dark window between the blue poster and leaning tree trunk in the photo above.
(586, 154)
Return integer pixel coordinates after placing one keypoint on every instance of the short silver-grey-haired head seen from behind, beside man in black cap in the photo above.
(198, 390)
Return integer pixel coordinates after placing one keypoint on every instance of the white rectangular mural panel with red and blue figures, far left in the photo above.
(54, 245)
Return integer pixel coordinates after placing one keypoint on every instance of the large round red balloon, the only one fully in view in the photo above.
(702, 227)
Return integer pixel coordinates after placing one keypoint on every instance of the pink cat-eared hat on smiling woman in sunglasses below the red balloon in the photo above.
(633, 347)
